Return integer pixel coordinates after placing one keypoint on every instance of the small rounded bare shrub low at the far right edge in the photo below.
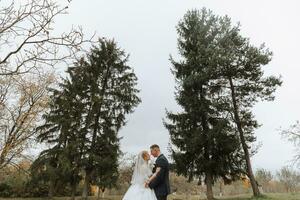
(289, 178)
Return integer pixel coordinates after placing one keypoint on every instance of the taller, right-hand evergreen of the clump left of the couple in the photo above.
(108, 90)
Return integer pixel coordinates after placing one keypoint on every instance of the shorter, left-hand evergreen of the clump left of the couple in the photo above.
(61, 163)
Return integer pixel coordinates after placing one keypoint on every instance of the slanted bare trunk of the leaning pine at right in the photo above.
(237, 119)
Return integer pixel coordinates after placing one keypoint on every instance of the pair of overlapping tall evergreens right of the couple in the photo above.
(219, 80)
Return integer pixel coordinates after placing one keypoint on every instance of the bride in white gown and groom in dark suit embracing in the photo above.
(149, 181)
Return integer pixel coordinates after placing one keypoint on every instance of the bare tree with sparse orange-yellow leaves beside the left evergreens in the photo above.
(23, 100)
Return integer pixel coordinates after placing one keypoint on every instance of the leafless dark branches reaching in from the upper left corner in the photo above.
(27, 39)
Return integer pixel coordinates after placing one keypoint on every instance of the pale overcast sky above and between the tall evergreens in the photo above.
(146, 30)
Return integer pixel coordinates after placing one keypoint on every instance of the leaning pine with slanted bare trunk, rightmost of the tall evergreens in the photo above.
(242, 79)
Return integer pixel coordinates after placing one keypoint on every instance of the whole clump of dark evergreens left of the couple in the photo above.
(85, 116)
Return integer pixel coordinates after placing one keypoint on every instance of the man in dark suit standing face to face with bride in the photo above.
(160, 184)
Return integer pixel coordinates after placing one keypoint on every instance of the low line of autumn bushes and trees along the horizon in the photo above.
(16, 183)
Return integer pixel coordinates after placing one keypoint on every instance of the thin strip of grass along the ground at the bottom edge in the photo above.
(179, 197)
